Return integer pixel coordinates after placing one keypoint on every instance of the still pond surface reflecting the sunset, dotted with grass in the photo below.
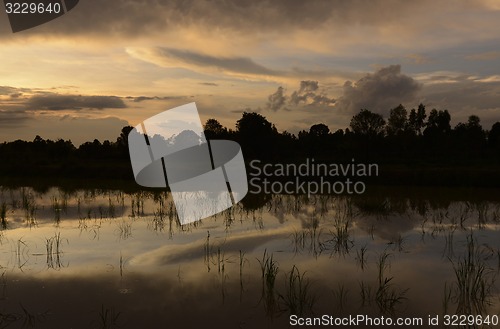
(110, 259)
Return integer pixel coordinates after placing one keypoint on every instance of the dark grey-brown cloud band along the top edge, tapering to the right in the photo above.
(137, 18)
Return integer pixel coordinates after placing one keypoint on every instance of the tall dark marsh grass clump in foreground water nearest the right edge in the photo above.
(474, 280)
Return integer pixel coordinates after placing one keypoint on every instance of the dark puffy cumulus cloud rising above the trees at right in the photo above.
(379, 91)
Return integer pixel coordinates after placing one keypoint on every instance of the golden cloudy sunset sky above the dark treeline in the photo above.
(107, 64)
